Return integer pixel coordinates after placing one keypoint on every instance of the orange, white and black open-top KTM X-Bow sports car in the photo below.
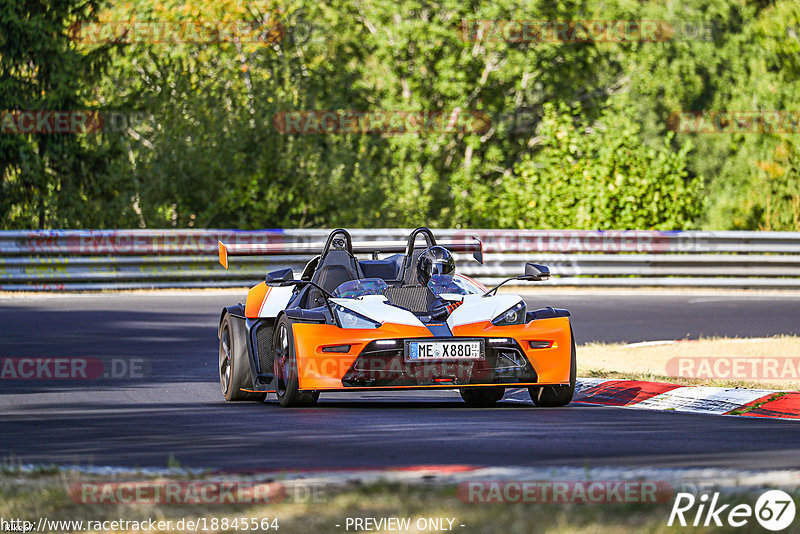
(403, 321)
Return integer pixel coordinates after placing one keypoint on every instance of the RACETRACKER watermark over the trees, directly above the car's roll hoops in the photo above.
(392, 122)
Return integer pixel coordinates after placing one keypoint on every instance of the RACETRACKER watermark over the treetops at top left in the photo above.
(175, 32)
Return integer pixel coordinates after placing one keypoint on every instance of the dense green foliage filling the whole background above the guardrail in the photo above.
(579, 133)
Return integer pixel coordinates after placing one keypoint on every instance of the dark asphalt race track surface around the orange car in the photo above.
(172, 406)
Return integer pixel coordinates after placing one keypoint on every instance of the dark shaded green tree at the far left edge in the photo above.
(51, 179)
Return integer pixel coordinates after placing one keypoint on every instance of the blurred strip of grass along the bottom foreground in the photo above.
(47, 496)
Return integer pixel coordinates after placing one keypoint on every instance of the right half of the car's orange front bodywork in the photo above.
(551, 364)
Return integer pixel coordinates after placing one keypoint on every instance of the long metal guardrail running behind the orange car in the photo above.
(55, 260)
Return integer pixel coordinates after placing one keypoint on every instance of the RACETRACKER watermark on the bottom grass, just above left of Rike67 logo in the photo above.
(565, 492)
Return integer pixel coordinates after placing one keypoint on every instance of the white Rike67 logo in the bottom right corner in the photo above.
(774, 510)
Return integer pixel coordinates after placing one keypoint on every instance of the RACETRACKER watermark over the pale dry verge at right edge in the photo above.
(734, 368)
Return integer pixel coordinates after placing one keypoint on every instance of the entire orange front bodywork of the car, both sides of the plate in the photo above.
(325, 370)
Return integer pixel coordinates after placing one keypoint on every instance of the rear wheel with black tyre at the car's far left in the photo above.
(234, 369)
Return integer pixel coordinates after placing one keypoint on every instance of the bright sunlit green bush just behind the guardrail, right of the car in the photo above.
(598, 176)
